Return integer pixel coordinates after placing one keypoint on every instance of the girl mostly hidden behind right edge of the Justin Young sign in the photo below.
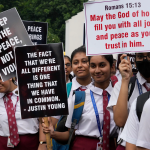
(68, 68)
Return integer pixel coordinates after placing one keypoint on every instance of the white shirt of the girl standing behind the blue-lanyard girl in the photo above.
(75, 86)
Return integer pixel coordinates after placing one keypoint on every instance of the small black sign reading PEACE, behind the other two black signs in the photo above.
(37, 31)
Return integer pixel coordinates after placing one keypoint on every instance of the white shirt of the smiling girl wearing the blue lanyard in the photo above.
(88, 124)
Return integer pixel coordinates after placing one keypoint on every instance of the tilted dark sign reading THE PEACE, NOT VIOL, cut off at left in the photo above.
(12, 33)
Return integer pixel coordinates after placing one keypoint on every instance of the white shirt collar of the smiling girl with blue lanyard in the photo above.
(99, 91)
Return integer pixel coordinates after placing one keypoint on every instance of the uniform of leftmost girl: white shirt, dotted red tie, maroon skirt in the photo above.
(26, 128)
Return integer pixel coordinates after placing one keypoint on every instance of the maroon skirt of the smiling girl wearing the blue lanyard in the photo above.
(89, 143)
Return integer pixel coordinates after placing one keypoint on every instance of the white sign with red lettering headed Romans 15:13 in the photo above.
(117, 26)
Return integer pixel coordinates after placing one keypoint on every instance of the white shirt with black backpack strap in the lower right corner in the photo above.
(130, 133)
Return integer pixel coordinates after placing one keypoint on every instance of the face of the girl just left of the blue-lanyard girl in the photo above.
(80, 65)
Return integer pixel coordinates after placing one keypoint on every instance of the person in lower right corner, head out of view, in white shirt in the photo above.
(136, 133)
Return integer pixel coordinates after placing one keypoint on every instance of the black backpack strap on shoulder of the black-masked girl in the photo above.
(131, 86)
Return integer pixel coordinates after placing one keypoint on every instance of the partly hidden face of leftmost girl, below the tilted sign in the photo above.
(5, 87)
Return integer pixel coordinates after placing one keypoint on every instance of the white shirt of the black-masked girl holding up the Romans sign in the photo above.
(135, 94)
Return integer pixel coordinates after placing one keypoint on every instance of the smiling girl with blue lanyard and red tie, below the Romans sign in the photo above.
(96, 126)
